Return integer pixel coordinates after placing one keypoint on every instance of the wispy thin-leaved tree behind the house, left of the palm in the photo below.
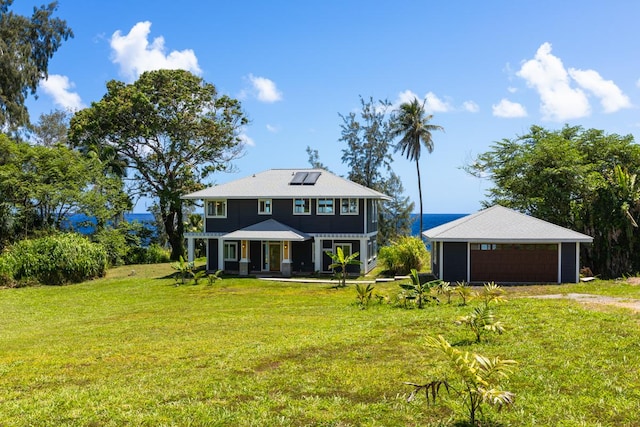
(367, 137)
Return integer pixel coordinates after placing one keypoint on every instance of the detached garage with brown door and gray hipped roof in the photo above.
(501, 245)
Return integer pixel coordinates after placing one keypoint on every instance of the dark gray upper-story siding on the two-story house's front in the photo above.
(242, 213)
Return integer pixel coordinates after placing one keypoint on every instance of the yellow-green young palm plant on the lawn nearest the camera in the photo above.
(475, 378)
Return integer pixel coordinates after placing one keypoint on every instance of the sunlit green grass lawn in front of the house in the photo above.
(137, 350)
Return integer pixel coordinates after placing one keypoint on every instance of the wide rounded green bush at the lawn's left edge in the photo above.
(57, 259)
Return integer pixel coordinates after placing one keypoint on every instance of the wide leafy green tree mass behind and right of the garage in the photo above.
(580, 179)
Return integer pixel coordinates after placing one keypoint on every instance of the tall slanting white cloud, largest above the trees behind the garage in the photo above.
(546, 74)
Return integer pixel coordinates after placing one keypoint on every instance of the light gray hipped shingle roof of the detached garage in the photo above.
(500, 224)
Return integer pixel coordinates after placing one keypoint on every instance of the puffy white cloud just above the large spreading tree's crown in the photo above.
(135, 55)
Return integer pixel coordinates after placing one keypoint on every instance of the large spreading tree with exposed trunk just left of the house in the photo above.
(173, 129)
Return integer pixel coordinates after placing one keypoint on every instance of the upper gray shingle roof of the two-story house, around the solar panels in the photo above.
(274, 183)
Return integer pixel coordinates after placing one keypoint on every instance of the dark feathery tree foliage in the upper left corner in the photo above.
(26, 45)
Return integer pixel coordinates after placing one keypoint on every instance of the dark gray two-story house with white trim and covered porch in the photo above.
(283, 221)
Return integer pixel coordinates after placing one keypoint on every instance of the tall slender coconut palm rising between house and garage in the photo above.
(412, 126)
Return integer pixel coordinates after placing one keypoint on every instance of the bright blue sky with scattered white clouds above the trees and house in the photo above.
(486, 70)
